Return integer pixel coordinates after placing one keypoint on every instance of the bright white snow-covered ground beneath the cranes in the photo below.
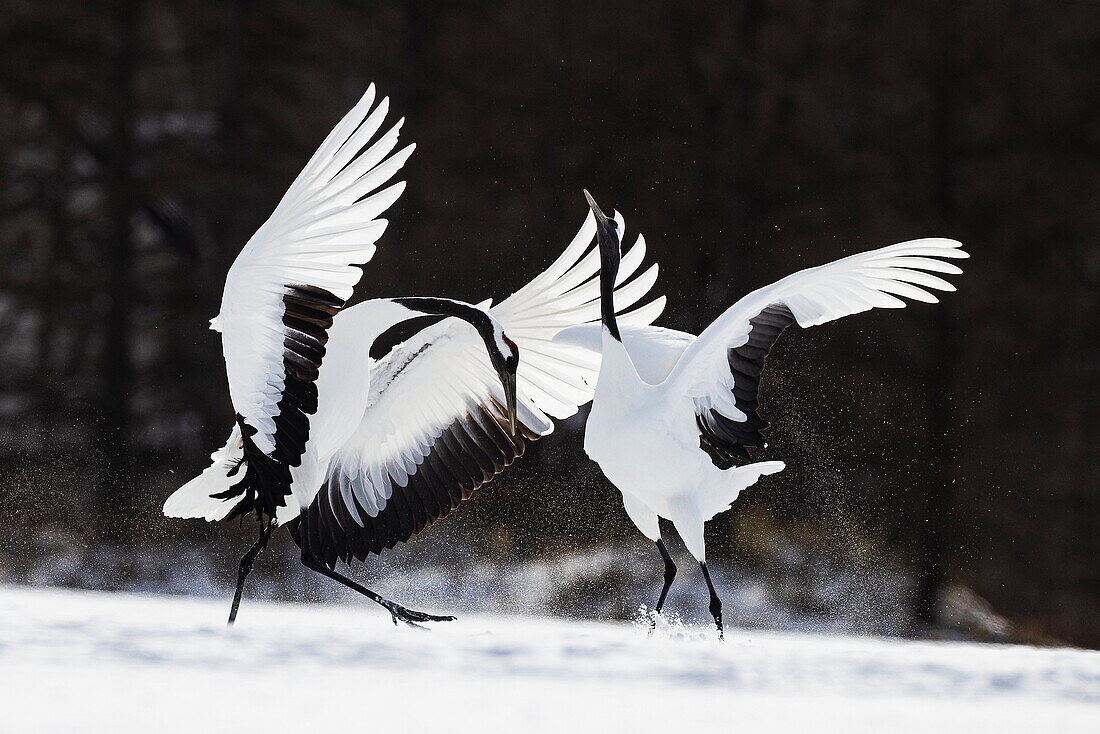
(92, 662)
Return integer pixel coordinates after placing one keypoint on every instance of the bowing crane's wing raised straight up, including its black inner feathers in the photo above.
(282, 292)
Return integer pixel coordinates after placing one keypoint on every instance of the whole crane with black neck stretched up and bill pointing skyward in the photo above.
(674, 413)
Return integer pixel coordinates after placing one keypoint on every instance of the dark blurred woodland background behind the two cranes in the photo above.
(943, 475)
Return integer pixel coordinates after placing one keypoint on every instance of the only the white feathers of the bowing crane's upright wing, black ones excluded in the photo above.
(321, 229)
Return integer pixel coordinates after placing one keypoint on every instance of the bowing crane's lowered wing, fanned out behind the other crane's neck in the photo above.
(435, 430)
